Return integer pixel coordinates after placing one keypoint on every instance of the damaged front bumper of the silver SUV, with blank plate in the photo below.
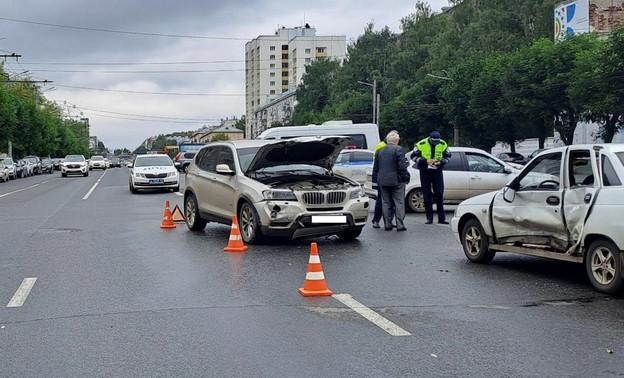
(295, 220)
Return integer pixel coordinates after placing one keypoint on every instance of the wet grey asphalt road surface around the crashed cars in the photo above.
(115, 295)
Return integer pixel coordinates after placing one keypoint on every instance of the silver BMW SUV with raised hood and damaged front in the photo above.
(276, 188)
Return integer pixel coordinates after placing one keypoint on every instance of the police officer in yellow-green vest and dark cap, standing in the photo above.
(430, 155)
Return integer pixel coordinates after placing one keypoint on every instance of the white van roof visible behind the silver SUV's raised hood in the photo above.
(363, 135)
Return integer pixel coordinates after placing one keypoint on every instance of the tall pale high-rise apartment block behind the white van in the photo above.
(275, 64)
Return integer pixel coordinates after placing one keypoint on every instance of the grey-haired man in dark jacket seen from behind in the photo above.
(390, 173)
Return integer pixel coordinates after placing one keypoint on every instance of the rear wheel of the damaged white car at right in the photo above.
(604, 266)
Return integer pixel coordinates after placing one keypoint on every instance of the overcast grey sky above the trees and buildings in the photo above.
(194, 49)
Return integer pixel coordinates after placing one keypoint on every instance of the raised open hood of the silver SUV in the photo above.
(319, 151)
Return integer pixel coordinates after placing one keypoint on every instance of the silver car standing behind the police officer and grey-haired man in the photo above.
(470, 172)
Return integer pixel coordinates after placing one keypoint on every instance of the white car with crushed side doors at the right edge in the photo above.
(565, 205)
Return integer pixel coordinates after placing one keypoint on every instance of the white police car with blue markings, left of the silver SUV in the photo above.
(153, 172)
